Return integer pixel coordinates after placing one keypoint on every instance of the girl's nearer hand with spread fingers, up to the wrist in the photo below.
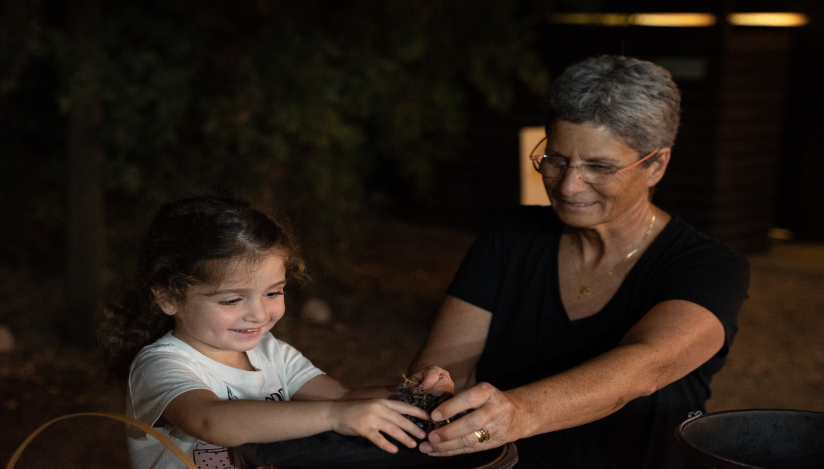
(368, 418)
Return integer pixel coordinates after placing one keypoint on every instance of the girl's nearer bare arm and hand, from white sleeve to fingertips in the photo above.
(202, 414)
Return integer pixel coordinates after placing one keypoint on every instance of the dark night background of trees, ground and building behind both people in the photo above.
(386, 131)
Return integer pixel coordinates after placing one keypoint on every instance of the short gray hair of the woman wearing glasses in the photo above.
(635, 99)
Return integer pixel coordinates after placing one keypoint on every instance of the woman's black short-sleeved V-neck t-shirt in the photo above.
(512, 271)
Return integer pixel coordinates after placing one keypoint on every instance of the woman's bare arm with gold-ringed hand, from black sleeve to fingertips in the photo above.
(670, 341)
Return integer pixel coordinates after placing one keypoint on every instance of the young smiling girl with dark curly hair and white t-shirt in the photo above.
(204, 368)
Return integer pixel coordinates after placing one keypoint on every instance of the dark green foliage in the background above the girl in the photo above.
(322, 110)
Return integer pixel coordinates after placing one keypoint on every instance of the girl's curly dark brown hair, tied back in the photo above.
(190, 241)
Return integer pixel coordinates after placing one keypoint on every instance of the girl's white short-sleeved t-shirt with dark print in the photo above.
(170, 367)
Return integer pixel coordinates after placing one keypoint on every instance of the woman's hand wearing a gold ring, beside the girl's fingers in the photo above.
(495, 411)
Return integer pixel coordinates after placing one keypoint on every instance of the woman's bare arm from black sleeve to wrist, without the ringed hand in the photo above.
(672, 340)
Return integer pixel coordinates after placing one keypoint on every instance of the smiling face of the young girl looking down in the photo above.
(225, 322)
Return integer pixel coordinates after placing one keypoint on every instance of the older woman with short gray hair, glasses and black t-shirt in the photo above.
(588, 330)
